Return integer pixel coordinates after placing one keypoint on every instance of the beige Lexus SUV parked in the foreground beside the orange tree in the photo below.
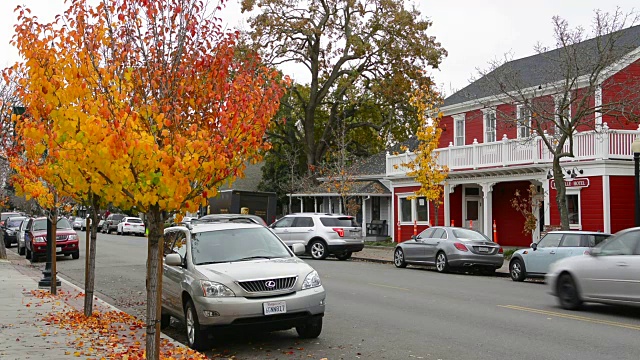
(224, 275)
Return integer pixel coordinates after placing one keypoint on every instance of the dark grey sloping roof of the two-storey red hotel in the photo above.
(544, 68)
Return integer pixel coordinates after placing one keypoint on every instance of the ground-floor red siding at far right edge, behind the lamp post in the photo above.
(622, 204)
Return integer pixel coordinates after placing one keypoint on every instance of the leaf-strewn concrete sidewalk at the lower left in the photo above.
(36, 325)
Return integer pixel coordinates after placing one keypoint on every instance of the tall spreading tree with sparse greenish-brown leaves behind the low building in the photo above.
(363, 59)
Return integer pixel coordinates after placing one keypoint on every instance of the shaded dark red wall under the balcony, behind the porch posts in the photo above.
(509, 222)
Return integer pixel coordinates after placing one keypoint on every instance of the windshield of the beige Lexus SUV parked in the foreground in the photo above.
(236, 245)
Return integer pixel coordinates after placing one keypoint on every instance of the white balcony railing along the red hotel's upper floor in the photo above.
(588, 145)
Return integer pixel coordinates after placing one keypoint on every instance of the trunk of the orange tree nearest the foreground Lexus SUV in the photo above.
(154, 281)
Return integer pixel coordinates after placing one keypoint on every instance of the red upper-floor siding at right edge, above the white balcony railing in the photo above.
(622, 85)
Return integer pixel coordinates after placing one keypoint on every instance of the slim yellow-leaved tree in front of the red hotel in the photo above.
(424, 167)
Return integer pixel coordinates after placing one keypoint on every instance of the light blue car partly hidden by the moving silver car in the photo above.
(555, 245)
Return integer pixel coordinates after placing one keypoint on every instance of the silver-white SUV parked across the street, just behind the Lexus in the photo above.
(321, 234)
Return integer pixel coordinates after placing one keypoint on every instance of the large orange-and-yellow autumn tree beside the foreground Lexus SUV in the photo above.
(159, 104)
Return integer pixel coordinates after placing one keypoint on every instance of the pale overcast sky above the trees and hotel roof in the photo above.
(473, 31)
